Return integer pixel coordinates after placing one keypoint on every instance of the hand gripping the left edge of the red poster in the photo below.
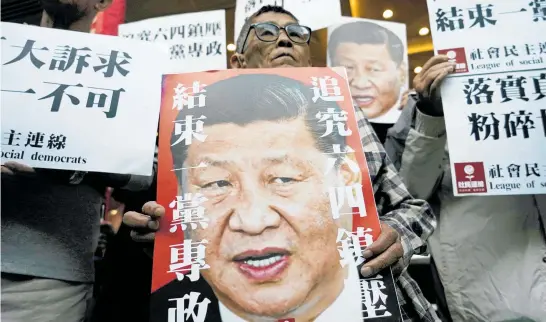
(144, 225)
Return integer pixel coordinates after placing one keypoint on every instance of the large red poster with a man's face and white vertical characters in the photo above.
(269, 201)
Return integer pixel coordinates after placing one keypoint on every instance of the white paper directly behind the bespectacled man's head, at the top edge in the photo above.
(315, 14)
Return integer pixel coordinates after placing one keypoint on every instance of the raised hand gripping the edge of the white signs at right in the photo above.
(433, 73)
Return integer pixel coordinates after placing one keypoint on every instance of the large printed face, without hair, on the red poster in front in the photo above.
(271, 235)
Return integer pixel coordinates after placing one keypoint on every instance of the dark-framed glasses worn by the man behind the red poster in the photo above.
(270, 32)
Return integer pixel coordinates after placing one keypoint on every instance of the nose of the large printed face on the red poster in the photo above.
(253, 215)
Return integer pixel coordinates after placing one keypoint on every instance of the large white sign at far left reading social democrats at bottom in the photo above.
(78, 101)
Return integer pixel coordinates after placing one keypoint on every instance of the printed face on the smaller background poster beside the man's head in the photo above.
(375, 79)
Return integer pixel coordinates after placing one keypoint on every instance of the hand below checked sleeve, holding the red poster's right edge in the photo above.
(383, 252)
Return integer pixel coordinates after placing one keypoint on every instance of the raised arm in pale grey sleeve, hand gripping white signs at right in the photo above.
(417, 142)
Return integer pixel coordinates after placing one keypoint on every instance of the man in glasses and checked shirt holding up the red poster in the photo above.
(273, 38)
